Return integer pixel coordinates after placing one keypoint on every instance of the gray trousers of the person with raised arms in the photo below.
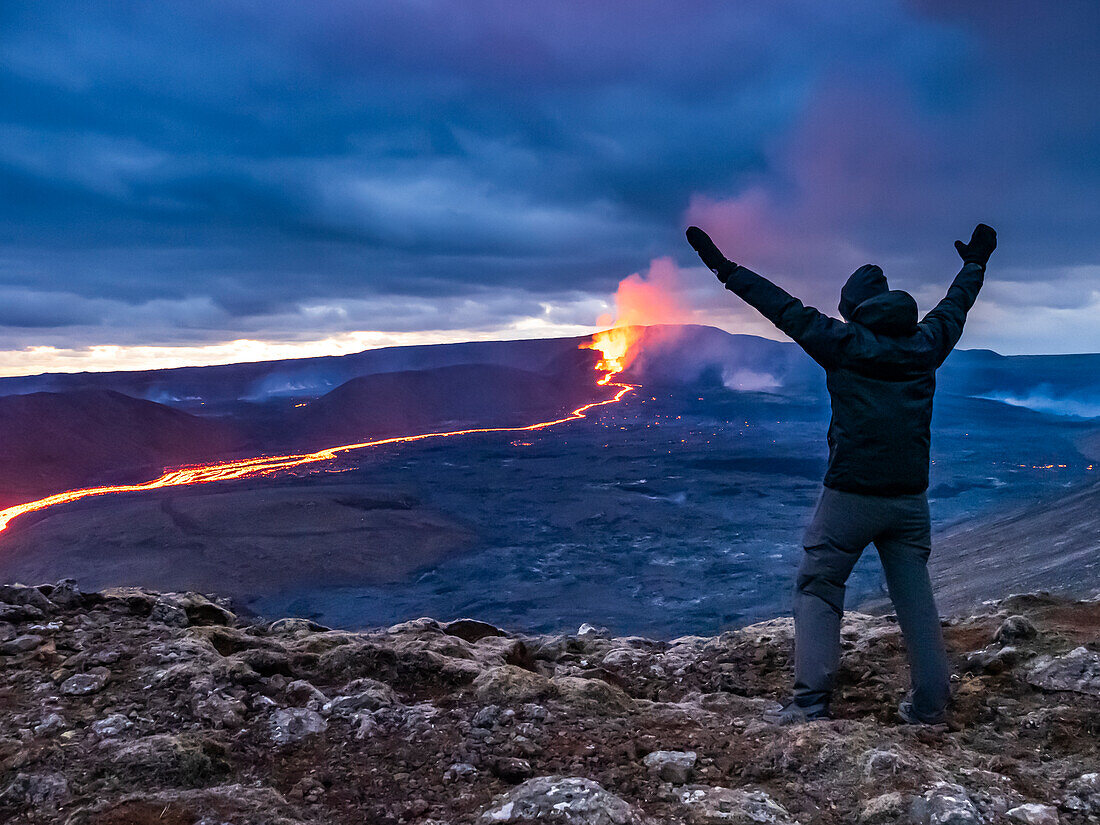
(844, 524)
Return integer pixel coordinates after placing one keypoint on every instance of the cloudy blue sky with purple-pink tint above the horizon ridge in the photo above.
(199, 182)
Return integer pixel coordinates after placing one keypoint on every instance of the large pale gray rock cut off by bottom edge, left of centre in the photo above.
(565, 801)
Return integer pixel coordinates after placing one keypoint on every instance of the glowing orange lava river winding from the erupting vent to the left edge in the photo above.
(271, 465)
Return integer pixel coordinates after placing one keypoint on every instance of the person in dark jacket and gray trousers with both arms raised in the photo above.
(881, 367)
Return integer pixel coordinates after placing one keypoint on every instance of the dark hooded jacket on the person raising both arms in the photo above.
(881, 370)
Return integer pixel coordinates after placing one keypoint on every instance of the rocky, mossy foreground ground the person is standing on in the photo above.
(130, 707)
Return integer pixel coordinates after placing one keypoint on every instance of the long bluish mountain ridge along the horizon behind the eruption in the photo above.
(672, 355)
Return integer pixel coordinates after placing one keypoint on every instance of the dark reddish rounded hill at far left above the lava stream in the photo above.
(54, 442)
